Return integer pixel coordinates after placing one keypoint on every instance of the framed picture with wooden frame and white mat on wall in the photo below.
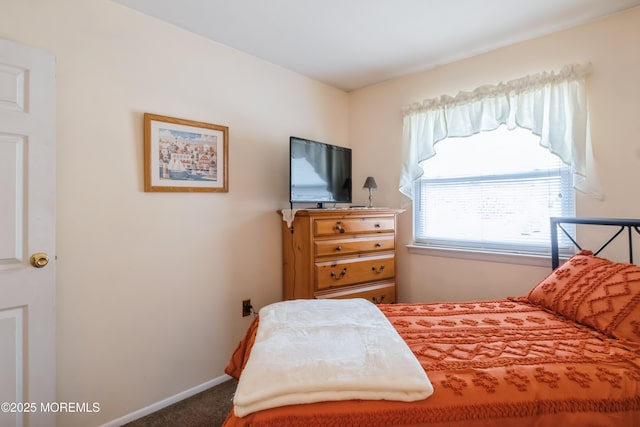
(183, 155)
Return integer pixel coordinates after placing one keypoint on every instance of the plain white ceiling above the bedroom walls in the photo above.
(350, 44)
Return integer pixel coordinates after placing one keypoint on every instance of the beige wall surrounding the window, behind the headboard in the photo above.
(610, 44)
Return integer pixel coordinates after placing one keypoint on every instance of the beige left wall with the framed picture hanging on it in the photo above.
(150, 284)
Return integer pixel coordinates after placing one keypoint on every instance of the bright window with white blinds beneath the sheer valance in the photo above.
(493, 191)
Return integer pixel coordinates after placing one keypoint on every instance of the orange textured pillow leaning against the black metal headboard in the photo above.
(596, 292)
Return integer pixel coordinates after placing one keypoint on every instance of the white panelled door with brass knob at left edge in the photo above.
(27, 227)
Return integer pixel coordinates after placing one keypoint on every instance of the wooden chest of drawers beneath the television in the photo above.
(341, 253)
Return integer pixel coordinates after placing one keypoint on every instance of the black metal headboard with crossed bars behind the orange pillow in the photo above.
(622, 224)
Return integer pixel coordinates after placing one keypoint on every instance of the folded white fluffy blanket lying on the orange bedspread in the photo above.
(309, 351)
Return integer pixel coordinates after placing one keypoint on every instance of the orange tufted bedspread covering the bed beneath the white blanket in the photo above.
(492, 363)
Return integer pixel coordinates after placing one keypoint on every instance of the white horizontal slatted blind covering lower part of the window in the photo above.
(495, 212)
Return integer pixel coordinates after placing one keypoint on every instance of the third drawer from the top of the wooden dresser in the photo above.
(332, 274)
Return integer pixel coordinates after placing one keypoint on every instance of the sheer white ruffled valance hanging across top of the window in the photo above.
(552, 106)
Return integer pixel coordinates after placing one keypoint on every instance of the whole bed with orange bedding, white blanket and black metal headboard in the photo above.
(568, 353)
